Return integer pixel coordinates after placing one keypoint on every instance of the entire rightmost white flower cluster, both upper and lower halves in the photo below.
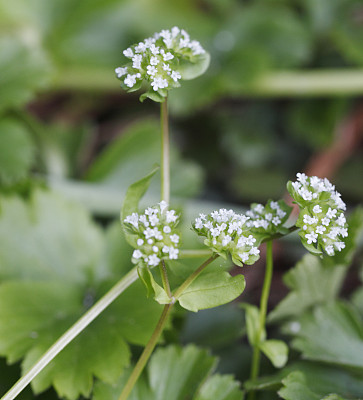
(322, 221)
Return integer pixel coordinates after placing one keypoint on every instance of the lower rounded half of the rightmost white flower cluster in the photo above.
(323, 227)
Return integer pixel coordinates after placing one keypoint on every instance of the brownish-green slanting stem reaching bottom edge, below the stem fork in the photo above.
(140, 365)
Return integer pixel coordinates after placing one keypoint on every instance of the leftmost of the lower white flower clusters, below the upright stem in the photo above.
(156, 236)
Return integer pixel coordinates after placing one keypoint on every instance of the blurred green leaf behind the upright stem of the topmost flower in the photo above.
(137, 150)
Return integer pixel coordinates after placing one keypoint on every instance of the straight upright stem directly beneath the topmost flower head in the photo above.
(165, 152)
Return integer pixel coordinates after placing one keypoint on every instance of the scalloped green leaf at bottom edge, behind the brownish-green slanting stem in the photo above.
(176, 374)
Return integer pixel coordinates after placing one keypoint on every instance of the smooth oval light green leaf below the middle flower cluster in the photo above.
(211, 290)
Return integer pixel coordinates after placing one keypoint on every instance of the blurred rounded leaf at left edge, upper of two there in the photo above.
(23, 69)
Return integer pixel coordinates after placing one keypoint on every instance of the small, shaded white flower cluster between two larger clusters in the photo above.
(268, 218)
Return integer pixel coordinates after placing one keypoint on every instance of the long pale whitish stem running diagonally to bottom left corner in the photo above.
(71, 333)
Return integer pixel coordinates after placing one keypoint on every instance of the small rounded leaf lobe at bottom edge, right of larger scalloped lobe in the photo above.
(220, 387)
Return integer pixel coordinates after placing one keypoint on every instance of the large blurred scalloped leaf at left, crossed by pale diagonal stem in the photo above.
(54, 281)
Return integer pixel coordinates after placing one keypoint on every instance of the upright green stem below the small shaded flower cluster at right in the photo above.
(255, 367)
